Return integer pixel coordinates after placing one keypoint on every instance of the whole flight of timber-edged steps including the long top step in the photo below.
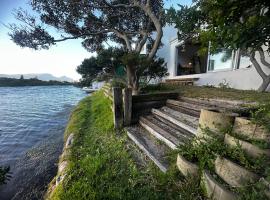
(172, 125)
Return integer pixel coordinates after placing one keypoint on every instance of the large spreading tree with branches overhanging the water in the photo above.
(129, 23)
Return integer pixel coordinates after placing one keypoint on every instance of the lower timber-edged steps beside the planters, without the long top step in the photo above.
(161, 131)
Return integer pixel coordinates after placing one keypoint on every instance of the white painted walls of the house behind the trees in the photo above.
(239, 77)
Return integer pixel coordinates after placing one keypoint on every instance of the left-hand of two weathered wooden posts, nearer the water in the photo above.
(118, 107)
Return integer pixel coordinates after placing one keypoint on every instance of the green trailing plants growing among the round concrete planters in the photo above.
(204, 151)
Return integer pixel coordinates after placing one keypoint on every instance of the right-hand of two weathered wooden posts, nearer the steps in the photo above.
(127, 99)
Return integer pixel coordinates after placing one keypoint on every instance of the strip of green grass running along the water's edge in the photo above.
(102, 167)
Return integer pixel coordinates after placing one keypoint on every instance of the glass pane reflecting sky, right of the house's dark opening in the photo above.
(220, 61)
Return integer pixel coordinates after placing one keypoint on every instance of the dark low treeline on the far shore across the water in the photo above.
(13, 82)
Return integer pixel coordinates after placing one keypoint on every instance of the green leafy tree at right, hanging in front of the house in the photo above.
(229, 24)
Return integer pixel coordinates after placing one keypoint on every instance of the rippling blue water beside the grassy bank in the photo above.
(32, 123)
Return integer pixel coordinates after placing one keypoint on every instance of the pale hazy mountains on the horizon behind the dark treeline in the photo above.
(43, 77)
